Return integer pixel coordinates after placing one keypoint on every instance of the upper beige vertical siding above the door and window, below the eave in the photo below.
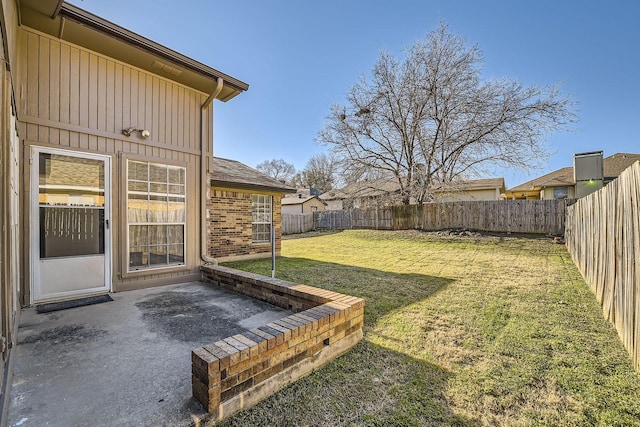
(66, 84)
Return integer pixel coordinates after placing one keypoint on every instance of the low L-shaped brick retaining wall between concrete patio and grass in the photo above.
(241, 370)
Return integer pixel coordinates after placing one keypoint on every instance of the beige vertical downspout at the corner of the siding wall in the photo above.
(205, 183)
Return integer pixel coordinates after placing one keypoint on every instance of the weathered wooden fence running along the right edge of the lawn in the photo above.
(603, 237)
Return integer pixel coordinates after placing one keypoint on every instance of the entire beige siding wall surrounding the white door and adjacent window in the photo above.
(76, 99)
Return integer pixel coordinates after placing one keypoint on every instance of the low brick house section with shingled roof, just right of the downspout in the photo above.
(243, 206)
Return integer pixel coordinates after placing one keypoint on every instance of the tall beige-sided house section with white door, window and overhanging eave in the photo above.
(107, 150)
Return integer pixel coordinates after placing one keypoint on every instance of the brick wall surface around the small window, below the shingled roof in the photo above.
(230, 224)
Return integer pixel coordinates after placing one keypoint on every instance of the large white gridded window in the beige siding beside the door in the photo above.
(156, 215)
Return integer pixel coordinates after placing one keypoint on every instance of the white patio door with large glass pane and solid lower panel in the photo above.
(70, 230)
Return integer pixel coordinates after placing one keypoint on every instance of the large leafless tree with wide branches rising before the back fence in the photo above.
(431, 119)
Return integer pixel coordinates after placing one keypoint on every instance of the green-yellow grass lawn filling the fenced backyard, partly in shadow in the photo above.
(458, 331)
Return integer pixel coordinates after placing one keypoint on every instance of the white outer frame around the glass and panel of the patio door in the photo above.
(34, 225)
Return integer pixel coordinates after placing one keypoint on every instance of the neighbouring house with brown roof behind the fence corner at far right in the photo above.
(561, 184)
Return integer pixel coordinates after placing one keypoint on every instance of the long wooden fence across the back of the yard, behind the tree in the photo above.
(511, 216)
